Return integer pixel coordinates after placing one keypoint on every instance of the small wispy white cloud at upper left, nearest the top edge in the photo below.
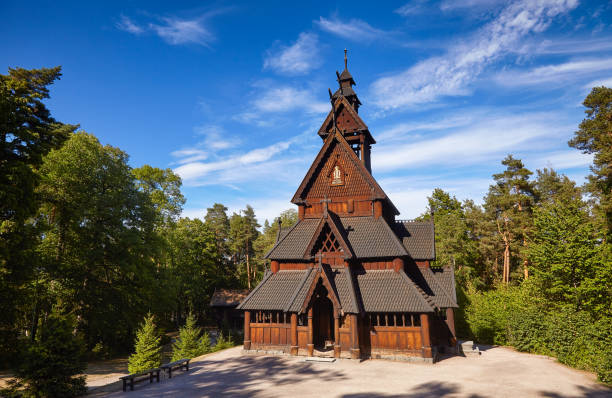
(183, 31)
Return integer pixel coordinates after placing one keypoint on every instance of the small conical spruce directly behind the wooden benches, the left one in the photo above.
(147, 353)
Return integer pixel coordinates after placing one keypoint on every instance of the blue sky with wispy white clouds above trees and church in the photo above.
(231, 94)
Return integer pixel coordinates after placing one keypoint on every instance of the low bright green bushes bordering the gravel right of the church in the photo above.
(514, 315)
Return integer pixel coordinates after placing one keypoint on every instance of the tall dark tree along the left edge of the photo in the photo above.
(27, 133)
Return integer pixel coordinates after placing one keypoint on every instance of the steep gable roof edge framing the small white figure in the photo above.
(330, 142)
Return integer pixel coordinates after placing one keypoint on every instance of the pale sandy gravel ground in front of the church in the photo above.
(498, 372)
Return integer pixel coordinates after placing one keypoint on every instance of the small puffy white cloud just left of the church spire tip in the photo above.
(299, 58)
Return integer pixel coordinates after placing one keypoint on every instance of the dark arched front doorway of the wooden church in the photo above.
(322, 319)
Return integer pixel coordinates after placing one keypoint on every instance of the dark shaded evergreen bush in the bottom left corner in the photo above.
(49, 365)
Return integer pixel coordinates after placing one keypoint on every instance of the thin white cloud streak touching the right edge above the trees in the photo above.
(560, 73)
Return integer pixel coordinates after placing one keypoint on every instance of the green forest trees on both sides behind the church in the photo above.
(94, 244)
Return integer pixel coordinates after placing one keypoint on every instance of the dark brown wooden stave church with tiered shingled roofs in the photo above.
(348, 279)
